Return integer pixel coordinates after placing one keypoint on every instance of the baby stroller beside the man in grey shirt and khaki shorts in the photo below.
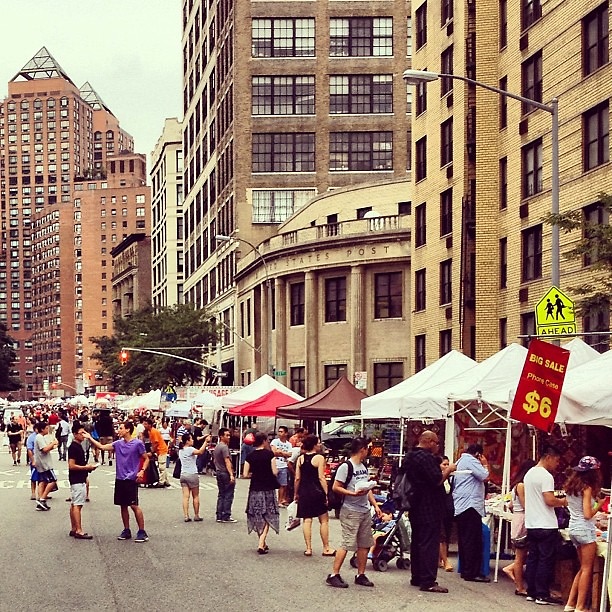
(391, 539)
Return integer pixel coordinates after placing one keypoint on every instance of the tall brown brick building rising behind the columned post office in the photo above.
(282, 101)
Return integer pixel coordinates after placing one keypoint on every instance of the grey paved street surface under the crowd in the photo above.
(187, 566)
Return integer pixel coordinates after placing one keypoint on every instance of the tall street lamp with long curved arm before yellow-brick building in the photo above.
(416, 77)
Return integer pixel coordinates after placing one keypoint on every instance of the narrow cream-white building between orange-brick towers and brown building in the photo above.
(167, 216)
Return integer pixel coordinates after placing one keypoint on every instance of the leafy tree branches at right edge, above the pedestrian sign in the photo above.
(596, 245)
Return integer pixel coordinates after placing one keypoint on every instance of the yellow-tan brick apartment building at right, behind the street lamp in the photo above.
(481, 253)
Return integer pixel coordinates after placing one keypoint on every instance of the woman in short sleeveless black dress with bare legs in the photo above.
(311, 494)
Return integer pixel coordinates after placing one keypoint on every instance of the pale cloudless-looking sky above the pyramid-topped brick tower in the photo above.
(129, 50)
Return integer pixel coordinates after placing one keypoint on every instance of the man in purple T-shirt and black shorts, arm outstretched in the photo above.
(129, 454)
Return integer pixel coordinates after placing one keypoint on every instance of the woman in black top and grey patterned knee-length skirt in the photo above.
(262, 506)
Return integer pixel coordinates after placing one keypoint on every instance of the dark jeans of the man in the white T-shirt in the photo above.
(542, 552)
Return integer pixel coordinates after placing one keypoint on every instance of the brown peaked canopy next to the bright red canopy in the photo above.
(340, 399)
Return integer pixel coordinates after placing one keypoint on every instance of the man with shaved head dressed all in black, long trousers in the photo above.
(426, 511)
